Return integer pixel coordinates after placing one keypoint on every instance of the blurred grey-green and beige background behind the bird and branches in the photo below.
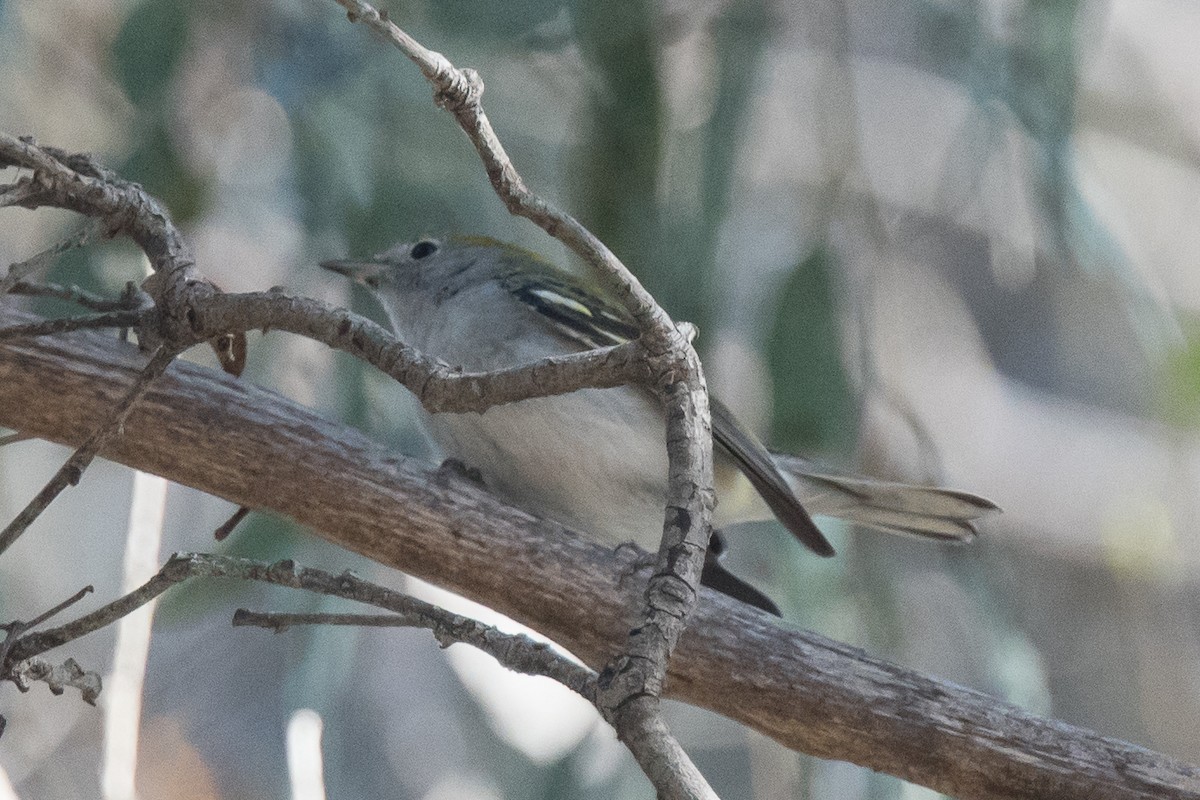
(945, 242)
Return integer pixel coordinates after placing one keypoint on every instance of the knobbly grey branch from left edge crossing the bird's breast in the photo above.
(190, 310)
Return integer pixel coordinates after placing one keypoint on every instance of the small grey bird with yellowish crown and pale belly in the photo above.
(596, 460)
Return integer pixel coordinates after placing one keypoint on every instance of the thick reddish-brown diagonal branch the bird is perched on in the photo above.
(225, 437)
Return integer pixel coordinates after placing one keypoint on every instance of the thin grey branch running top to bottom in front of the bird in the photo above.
(633, 683)
